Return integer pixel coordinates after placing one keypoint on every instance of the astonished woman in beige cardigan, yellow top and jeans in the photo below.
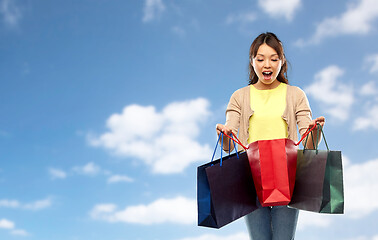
(268, 108)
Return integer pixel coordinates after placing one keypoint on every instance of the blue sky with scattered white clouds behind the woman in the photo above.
(108, 107)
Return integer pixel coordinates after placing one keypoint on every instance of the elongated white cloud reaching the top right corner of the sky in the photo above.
(358, 19)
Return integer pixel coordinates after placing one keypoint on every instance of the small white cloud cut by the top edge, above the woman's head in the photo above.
(280, 8)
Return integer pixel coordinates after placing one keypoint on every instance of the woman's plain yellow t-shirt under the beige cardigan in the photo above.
(266, 122)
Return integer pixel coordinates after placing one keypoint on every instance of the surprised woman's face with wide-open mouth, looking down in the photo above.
(267, 65)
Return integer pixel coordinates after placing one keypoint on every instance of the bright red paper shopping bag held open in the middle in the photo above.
(273, 165)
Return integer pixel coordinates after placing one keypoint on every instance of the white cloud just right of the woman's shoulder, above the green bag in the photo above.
(335, 96)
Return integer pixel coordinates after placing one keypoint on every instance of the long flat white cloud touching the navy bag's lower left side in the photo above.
(177, 210)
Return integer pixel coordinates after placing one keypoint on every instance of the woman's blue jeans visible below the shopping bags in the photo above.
(272, 223)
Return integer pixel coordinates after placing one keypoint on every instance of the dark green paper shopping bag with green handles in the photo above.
(319, 180)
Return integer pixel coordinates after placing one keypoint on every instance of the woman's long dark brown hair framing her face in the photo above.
(272, 41)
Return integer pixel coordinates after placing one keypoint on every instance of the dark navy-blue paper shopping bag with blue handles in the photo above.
(225, 190)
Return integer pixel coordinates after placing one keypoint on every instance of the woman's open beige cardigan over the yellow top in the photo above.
(296, 113)
